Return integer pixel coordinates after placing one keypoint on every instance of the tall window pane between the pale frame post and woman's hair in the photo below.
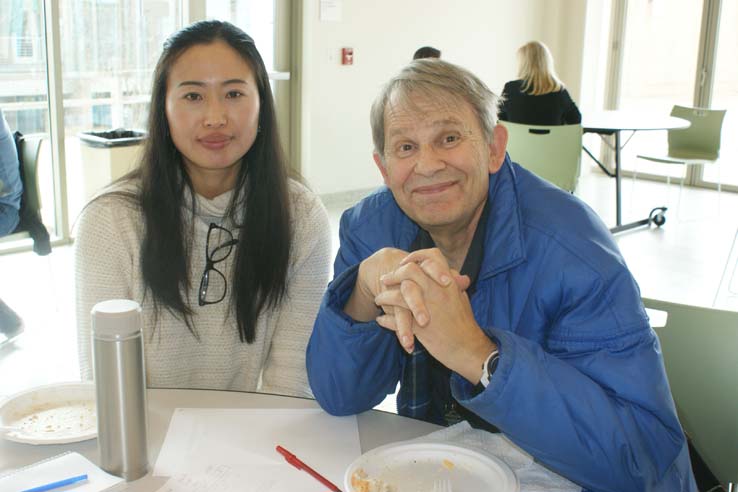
(106, 75)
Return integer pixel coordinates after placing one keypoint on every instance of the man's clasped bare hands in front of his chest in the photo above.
(422, 298)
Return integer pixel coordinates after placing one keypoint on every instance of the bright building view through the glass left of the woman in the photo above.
(108, 52)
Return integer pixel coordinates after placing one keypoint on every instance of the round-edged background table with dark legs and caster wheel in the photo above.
(612, 123)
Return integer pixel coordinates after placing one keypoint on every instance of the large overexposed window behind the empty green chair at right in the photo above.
(668, 59)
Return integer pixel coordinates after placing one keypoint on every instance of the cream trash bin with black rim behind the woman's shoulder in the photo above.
(106, 156)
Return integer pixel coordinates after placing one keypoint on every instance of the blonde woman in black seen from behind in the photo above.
(538, 97)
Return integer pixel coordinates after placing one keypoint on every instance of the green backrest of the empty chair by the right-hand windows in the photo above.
(702, 139)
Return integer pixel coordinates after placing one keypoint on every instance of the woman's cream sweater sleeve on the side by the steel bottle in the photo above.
(104, 266)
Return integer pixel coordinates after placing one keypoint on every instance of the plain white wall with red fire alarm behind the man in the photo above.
(481, 35)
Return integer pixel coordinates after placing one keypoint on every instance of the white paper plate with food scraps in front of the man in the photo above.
(415, 467)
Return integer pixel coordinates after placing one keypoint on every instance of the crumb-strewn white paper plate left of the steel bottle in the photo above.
(52, 414)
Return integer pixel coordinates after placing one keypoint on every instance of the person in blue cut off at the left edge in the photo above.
(11, 190)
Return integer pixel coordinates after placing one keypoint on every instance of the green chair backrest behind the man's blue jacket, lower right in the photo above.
(700, 349)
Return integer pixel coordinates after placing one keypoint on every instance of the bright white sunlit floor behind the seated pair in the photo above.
(682, 262)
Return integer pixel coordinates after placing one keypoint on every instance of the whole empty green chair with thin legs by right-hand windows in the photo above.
(697, 145)
